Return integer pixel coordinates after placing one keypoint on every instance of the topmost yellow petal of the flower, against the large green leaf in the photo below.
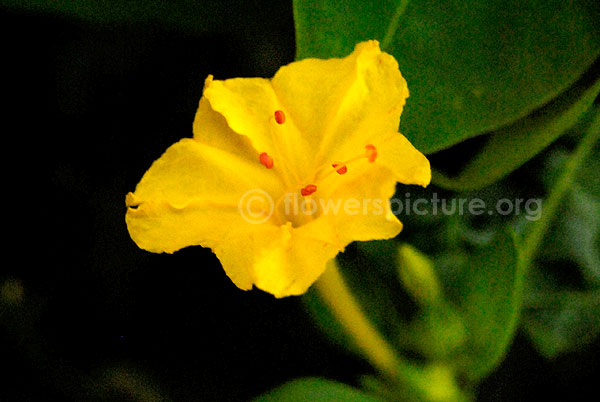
(339, 100)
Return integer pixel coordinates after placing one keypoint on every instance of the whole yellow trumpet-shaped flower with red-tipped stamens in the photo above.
(322, 131)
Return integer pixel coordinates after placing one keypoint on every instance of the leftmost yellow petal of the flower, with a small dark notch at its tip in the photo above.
(191, 191)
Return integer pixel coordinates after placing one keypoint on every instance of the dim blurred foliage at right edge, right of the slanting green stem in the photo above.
(561, 316)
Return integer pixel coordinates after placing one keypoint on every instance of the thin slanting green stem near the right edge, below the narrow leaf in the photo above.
(534, 238)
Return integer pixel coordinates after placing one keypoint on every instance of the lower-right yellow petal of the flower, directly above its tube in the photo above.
(359, 210)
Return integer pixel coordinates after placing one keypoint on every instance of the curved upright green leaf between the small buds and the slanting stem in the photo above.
(489, 293)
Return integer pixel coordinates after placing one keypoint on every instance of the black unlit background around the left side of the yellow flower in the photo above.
(88, 106)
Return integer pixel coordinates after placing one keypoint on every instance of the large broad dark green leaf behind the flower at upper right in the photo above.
(472, 66)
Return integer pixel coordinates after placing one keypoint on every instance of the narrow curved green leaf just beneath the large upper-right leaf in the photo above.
(511, 146)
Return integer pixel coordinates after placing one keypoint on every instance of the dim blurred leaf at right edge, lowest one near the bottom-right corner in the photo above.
(558, 322)
